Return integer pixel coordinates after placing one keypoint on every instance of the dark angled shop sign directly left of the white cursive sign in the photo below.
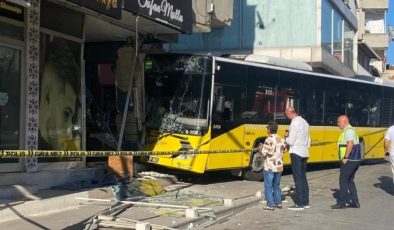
(112, 8)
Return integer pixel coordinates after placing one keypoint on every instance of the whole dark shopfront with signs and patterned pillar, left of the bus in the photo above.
(44, 69)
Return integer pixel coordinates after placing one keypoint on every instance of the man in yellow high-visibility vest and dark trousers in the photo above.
(350, 156)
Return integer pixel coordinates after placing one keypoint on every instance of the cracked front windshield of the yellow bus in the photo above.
(189, 106)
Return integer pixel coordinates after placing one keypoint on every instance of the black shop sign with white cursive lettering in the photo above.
(176, 14)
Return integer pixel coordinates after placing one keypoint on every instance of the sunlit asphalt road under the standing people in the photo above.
(376, 193)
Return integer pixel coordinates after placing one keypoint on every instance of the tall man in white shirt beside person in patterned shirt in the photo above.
(299, 142)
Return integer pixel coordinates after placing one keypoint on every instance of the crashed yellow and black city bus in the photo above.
(219, 104)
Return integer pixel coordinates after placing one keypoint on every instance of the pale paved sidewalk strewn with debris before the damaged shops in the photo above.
(54, 203)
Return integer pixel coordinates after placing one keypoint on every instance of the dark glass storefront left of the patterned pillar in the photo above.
(12, 65)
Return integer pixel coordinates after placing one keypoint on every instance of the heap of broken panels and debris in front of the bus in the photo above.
(157, 201)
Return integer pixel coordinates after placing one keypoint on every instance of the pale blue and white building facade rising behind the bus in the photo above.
(321, 33)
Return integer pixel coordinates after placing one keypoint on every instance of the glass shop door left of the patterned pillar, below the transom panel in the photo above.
(10, 98)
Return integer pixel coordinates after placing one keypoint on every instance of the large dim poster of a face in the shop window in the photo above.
(60, 90)
